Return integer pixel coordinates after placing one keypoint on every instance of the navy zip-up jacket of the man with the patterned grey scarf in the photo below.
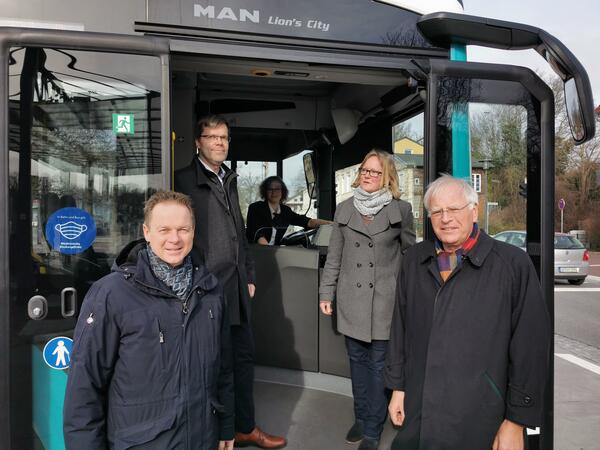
(144, 374)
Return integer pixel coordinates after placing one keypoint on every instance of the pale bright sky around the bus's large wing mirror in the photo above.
(575, 22)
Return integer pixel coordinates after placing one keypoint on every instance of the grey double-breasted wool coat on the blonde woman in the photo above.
(363, 263)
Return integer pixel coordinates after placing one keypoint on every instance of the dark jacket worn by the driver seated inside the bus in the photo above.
(260, 223)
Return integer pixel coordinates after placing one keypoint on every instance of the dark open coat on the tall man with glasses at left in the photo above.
(220, 233)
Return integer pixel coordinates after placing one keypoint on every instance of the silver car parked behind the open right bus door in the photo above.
(571, 259)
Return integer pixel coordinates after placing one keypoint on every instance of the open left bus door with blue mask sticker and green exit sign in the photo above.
(83, 127)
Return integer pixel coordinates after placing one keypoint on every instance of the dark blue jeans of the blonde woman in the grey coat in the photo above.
(367, 361)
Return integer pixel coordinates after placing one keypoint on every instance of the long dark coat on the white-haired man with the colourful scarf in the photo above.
(470, 352)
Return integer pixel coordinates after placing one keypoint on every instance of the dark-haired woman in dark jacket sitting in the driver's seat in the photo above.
(269, 218)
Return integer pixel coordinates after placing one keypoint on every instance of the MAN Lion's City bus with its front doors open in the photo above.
(98, 105)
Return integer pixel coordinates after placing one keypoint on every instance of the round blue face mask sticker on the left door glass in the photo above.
(70, 230)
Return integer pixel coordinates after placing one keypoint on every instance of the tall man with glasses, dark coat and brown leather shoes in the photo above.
(220, 237)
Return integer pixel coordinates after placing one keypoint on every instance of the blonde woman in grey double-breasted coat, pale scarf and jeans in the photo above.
(370, 231)
